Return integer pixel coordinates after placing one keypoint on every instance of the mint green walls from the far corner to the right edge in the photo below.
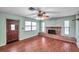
(74, 25)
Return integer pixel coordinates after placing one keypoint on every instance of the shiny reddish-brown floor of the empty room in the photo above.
(40, 44)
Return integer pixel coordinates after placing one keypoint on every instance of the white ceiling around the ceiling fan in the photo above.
(23, 11)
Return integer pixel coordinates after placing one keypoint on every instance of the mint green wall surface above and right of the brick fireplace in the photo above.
(60, 22)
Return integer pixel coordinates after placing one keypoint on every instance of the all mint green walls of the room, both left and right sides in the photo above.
(74, 26)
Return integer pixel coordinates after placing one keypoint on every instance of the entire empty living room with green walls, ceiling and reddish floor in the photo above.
(39, 29)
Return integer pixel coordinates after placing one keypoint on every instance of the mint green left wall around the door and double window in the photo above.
(22, 34)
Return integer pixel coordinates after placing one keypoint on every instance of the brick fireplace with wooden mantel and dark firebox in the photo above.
(53, 30)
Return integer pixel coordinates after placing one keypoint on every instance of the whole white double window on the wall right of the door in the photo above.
(30, 25)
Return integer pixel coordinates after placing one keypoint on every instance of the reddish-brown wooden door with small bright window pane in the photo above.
(12, 29)
